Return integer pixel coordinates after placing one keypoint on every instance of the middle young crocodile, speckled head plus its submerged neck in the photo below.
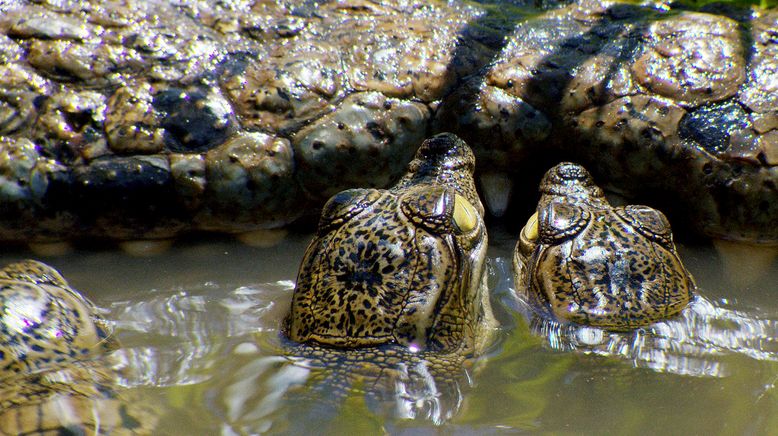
(391, 291)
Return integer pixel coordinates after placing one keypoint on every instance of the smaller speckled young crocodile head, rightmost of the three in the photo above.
(583, 260)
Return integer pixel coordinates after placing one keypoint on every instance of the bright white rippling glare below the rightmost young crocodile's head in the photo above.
(691, 344)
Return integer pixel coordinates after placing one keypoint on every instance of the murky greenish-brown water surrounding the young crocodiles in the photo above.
(200, 332)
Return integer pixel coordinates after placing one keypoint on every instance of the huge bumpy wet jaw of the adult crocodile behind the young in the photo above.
(129, 120)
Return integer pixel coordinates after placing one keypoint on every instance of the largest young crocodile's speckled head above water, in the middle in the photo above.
(403, 265)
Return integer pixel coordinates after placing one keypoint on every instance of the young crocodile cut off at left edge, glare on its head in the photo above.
(55, 373)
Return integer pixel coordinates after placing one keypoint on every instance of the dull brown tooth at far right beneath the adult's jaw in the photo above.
(745, 264)
